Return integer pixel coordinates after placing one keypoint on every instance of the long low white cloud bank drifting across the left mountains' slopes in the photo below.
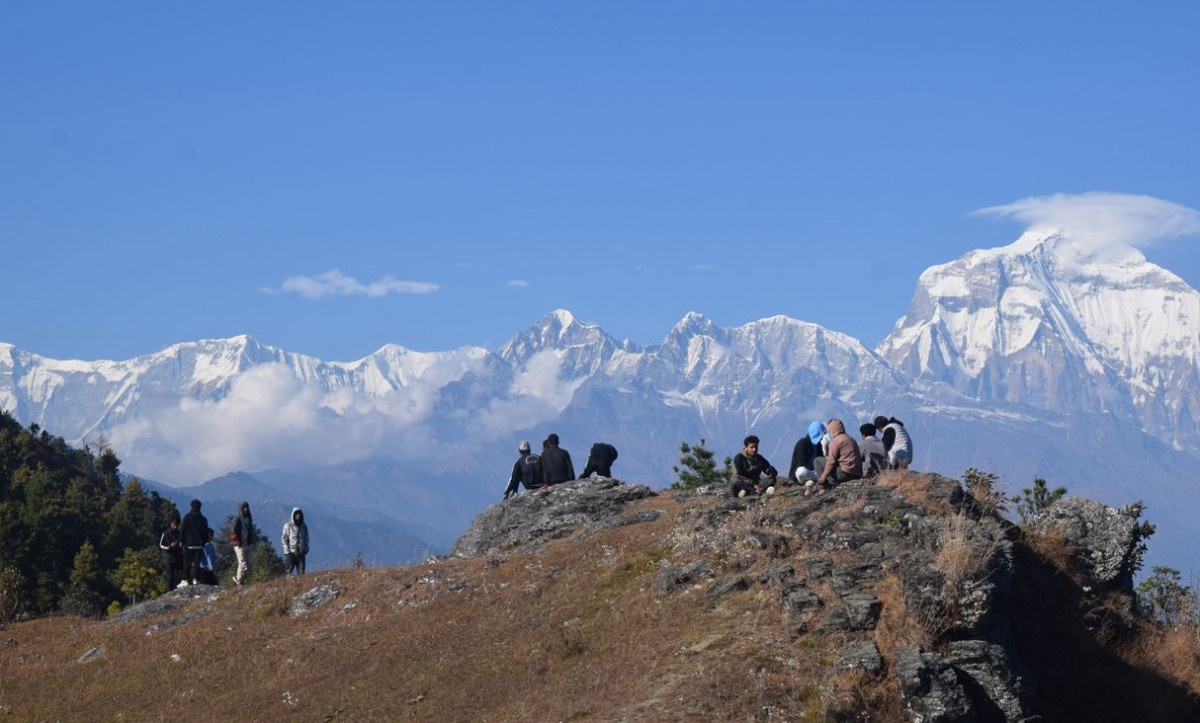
(271, 419)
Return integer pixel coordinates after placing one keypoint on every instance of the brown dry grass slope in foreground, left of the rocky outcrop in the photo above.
(574, 632)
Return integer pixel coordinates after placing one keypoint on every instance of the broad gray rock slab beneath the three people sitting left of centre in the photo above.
(553, 513)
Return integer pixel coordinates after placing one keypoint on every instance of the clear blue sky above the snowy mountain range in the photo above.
(171, 172)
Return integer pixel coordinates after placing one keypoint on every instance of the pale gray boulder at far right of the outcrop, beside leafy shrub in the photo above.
(1103, 537)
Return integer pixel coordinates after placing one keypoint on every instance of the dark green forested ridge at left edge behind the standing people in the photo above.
(73, 536)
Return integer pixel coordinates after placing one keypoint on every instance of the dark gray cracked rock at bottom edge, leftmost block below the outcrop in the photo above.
(931, 689)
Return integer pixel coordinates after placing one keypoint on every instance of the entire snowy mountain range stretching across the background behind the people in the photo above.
(1042, 358)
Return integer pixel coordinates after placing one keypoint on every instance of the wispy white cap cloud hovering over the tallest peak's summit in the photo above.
(1101, 222)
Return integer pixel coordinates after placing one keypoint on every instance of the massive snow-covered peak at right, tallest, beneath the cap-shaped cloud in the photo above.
(1048, 325)
